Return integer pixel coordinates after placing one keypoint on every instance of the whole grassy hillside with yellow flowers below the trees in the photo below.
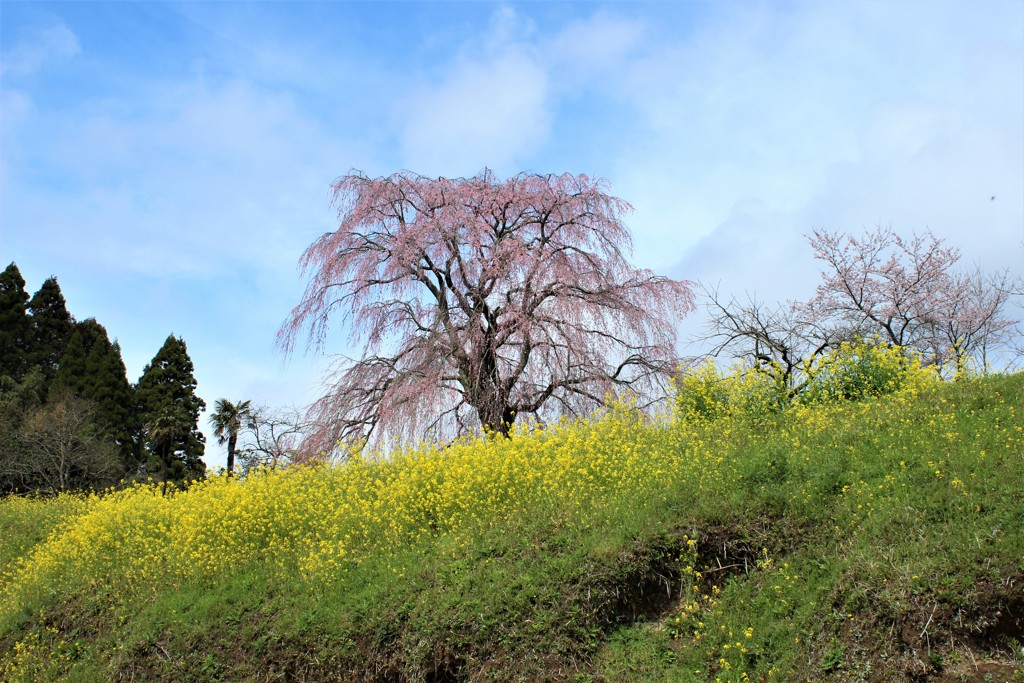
(877, 541)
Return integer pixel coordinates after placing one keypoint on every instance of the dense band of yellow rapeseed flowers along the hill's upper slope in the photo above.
(317, 521)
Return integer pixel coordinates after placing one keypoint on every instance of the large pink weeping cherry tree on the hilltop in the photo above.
(478, 302)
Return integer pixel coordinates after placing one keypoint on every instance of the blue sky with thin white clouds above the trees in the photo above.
(169, 163)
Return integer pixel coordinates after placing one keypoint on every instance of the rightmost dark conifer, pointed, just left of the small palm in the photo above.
(169, 412)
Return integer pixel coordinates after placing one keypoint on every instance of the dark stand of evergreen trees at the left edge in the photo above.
(69, 416)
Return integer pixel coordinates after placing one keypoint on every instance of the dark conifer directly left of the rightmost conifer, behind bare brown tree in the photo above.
(92, 368)
